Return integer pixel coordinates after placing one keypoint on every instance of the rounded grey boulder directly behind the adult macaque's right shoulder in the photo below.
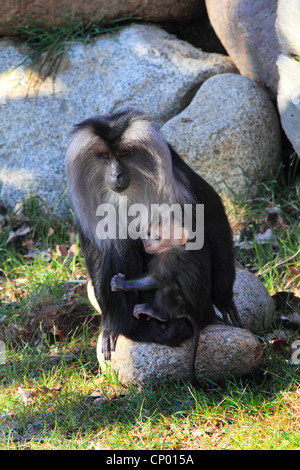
(230, 129)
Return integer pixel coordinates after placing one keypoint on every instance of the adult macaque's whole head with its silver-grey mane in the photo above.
(114, 154)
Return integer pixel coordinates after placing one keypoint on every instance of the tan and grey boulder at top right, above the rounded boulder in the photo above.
(246, 30)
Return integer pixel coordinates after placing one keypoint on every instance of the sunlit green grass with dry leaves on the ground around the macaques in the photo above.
(52, 394)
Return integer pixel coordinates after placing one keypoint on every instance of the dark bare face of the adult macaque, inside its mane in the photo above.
(117, 175)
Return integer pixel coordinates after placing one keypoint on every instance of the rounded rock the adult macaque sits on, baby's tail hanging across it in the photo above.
(222, 351)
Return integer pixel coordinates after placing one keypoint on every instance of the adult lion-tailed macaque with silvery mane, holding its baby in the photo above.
(124, 154)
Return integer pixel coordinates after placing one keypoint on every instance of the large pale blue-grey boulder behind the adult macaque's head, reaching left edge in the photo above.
(140, 67)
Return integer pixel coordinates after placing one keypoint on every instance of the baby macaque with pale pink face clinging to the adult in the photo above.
(175, 295)
